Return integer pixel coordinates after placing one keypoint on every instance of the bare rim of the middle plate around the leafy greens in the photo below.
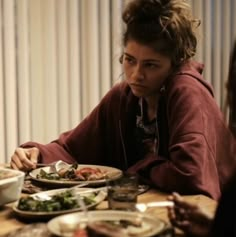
(100, 196)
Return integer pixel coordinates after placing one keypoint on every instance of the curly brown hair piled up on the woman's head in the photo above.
(167, 26)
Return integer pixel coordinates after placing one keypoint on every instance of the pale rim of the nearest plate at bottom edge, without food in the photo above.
(65, 225)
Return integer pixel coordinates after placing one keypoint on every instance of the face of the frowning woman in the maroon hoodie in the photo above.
(145, 69)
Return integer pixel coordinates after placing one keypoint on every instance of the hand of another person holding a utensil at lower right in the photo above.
(190, 218)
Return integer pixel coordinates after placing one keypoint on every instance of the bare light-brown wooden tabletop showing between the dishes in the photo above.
(9, 222)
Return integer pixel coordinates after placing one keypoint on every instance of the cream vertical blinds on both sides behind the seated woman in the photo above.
(59, 57)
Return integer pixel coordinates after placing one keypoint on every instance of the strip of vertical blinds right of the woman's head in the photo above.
(216, 37)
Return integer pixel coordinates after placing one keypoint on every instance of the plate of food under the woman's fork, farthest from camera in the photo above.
(69, 175)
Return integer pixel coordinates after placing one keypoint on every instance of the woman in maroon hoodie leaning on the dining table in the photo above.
(162, 121)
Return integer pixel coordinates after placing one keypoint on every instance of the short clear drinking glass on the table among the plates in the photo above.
(123, 193)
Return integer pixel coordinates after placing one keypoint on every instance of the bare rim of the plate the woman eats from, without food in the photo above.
(112, 173)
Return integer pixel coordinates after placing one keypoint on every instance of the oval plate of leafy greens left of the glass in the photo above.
(48, 204)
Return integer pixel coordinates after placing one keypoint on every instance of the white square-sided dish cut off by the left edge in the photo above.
(10, 187)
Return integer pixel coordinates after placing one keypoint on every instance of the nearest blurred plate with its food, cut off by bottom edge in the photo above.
(117, 223)
